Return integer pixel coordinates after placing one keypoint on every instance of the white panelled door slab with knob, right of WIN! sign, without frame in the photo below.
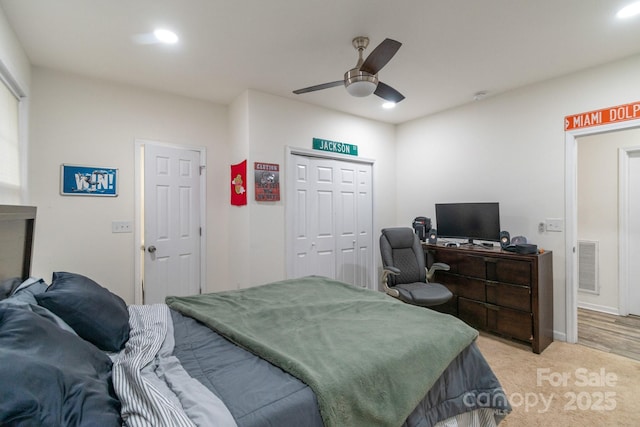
(171, 222)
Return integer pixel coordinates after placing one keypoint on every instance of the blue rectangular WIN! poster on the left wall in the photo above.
(88, 181)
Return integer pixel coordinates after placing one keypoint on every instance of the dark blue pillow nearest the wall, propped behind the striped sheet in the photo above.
(96, 314)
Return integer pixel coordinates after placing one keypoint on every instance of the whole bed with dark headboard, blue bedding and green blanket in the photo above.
(304, 352)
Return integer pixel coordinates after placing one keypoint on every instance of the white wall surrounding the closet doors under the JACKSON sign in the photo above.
(275, 123)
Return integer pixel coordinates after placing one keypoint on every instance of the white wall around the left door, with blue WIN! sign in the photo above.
(84, 121)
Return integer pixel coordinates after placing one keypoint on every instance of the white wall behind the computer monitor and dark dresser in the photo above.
(511, 149)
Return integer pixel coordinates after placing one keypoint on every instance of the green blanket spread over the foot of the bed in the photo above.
(369, 359)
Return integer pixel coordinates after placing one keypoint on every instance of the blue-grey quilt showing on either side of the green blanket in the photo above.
(258, 393)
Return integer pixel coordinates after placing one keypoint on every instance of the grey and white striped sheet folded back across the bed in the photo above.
(154, 388)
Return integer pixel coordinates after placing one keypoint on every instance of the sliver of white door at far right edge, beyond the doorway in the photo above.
(633, 236)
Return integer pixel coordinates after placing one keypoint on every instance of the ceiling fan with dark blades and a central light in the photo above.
(362, 80)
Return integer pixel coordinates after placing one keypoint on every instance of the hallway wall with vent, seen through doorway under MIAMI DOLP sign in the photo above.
(598, 172)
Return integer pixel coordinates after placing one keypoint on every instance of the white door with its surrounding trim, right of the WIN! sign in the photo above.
(169, 215)
